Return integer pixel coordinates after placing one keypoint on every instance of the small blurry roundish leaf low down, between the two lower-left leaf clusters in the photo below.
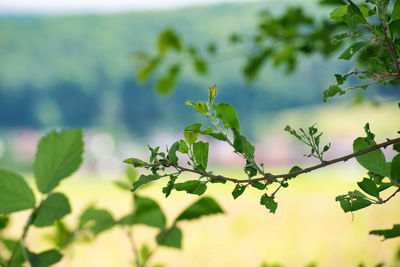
(96, 220)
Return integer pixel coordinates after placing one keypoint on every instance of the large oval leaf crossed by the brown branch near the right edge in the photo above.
(373, 161)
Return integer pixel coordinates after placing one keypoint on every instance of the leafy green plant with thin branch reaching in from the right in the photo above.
(372, 29)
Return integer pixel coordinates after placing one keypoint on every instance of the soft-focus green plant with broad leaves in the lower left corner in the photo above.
(58, 156)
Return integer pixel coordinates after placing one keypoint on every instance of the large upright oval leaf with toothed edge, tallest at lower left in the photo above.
(59, 155)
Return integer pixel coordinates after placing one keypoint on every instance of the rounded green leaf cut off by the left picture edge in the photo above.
(15, 194)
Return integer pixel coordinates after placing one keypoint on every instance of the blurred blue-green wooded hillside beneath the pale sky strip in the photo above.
(76, 71)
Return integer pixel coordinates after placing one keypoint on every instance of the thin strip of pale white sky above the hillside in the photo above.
(95, 6)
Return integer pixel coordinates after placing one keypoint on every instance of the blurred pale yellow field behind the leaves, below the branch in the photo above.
(309, 226)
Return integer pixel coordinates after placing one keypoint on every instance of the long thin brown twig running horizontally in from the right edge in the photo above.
(272, 178)
